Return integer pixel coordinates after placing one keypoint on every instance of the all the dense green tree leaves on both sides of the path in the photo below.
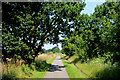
(27, 26)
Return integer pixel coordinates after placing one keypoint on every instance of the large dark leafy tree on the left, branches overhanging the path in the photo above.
(27, 26)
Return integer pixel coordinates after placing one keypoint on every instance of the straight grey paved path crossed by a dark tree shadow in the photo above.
(57, 70)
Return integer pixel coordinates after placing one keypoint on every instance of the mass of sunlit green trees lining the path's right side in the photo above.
(96, 35)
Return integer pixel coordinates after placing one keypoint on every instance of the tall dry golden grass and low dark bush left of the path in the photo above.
(13, 71)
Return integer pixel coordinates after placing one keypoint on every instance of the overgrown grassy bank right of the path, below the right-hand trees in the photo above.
(96, 68)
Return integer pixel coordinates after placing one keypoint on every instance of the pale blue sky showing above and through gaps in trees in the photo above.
(89, 9)
